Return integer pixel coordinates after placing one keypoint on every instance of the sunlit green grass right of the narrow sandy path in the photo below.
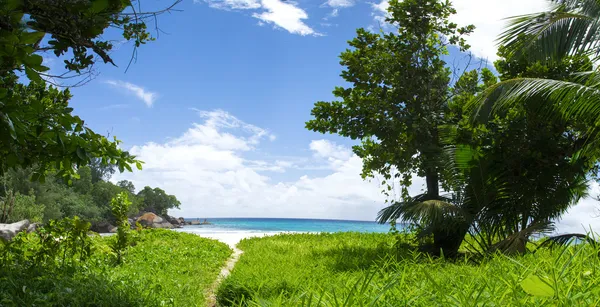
(352, 269)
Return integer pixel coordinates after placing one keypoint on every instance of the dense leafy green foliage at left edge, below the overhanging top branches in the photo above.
(38, 129)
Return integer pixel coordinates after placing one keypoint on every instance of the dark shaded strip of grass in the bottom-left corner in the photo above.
(51, 287)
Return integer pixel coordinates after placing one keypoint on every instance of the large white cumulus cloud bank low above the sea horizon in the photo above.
(207, 168)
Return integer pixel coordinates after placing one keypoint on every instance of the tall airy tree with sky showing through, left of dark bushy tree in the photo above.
(398, 94)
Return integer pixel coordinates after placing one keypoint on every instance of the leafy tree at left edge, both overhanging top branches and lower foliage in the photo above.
(37, 127)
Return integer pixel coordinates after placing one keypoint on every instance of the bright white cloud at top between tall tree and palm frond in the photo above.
(488, 16)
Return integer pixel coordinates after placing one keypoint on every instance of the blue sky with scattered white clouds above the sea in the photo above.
(216, 106)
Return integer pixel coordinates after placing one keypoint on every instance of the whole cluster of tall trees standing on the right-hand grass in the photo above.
(497, 178)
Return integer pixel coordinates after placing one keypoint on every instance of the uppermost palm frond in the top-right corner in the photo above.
(569, 27)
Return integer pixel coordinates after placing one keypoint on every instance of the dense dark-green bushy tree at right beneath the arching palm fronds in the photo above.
(516, 173)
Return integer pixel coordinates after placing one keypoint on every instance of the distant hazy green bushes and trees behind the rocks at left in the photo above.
(88, 197)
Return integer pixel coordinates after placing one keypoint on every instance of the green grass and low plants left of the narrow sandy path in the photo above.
(159, 268)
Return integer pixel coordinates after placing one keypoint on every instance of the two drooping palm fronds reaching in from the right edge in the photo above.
(570, 27)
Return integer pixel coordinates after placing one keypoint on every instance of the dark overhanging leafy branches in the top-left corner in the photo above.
(74, 29)
